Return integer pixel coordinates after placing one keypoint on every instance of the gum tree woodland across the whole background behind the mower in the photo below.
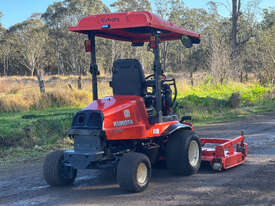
(231, 48)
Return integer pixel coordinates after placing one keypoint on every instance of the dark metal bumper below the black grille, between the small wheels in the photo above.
(82, 160)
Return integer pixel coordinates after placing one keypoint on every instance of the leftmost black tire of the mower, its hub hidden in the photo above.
(55, 172)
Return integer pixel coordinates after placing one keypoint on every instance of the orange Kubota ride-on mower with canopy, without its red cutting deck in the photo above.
(135, 128)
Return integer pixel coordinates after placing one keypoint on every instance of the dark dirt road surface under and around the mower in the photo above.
(250, 184)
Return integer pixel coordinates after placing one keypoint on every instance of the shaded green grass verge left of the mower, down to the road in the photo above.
(29, 135)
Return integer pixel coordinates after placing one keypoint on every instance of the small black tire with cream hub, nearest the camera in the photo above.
(127, 172)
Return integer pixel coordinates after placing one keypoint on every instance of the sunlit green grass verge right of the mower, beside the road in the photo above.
(210, 102)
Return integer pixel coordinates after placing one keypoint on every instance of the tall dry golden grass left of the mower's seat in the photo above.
(22, 93)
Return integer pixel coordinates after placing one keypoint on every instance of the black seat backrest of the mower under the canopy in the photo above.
(128, 78)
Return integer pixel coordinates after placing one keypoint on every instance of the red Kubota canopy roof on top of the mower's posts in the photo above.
(132, 26)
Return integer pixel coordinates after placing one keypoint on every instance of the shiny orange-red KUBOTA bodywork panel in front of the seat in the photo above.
(125, 117)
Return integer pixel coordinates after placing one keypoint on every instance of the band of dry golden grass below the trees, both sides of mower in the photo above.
(22, 93)
